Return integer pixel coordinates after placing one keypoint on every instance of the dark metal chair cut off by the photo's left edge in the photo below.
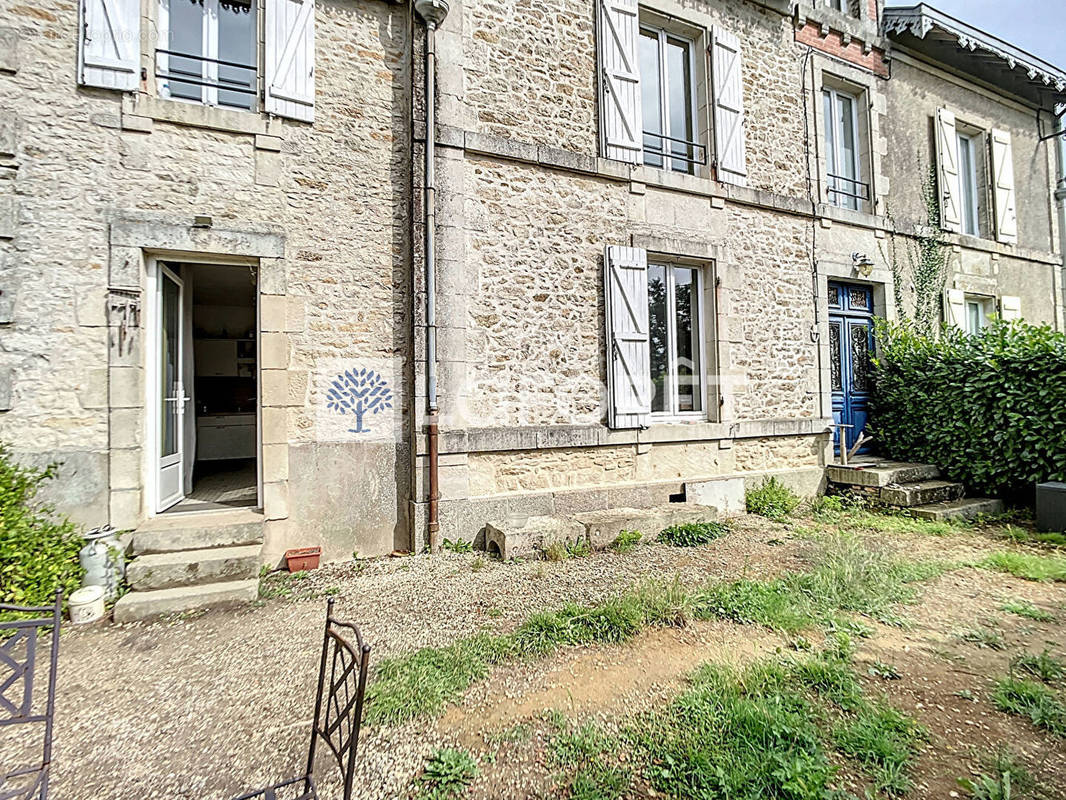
(19, 653)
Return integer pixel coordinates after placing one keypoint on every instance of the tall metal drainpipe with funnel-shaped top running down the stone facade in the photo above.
(433, 12)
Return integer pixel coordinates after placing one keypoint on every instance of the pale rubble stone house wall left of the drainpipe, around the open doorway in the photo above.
(91, 178)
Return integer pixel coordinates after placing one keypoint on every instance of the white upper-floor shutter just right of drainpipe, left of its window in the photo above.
(621, 120)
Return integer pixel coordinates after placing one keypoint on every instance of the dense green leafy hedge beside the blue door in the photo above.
(989, 410)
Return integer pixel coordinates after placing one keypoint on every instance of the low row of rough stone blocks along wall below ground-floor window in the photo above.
(525, 537)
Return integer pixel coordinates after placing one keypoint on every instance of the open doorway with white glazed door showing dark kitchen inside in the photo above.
(206, 388)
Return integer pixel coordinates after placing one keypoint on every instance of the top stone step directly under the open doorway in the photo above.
(199, 532)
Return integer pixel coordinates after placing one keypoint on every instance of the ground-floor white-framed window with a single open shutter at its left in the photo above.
(675, 328)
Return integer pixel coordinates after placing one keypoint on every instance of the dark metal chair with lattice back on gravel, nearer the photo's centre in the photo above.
(338, 711)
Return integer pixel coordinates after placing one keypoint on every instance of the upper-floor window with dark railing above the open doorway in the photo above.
(208, 53)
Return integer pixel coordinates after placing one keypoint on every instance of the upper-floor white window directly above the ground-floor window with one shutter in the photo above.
(668, 101)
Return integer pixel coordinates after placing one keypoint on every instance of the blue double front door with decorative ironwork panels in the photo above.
(851, 343)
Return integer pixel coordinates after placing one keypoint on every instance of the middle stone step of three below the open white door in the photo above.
(189, 568)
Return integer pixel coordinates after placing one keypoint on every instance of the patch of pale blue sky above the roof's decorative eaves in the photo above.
(1036, 26)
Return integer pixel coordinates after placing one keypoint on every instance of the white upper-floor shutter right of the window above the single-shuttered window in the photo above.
(728, 75)
